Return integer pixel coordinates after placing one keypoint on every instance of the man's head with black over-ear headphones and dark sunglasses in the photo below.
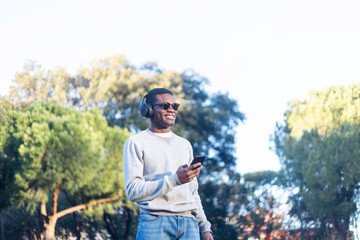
(159, 105)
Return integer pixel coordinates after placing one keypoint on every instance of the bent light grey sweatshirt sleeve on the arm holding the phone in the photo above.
(136, 188)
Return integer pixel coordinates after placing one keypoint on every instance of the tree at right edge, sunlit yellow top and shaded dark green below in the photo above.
(318, 147)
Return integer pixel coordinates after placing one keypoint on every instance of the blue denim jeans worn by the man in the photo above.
(155, 227)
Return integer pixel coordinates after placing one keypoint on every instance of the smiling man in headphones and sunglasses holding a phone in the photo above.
(158, 175)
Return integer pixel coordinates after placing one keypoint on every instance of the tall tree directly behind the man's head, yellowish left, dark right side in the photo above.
(116, 87)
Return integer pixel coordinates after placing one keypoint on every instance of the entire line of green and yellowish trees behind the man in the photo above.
(61, 156)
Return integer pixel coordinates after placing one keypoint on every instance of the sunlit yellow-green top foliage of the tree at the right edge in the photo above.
(325, 110)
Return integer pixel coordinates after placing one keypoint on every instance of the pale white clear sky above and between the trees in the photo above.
(263, 53)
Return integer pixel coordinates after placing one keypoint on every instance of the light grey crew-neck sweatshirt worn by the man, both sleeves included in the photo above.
(150, 165)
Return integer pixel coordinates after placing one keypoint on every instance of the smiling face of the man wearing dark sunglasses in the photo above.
(163, 119)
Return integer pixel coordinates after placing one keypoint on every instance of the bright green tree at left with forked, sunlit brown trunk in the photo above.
(49, 150)
